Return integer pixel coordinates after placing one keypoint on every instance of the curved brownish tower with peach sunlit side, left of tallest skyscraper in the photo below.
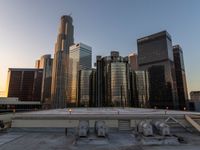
(46, 63)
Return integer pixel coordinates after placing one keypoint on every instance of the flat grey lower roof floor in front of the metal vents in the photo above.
(115, 141)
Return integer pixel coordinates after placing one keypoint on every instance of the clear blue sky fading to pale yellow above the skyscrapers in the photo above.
(28, 28)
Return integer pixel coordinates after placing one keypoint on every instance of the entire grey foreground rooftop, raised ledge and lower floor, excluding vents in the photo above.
(46, 130)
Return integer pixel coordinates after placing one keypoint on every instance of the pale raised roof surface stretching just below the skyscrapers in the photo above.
(107, 111)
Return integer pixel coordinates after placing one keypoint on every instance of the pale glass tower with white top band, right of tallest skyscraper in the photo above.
(80, 57)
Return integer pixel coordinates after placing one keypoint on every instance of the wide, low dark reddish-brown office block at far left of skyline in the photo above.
(24, 83)
